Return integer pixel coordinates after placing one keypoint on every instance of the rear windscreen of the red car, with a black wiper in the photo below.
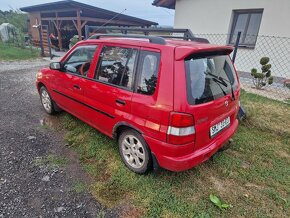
(209, 77)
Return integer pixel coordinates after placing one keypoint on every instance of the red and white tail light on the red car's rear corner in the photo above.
(181, 129)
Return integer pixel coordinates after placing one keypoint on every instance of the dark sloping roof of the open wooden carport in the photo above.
(70, 4)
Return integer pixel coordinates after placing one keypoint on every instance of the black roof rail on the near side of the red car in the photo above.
(152, 39)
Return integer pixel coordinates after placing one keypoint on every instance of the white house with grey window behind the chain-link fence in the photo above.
(264, 27)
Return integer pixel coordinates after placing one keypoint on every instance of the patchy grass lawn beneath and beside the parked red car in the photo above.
(253, 176)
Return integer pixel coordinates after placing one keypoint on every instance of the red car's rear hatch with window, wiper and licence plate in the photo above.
(212, 91)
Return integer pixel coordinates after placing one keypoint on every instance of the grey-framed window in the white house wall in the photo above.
(248, 23)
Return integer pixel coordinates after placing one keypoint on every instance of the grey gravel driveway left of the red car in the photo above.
(29, 185)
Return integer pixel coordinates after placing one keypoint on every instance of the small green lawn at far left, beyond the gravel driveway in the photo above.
(9, 52)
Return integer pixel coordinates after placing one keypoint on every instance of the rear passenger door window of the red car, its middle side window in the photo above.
(116, 66)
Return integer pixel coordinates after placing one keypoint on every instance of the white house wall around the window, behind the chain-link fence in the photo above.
(211, 18)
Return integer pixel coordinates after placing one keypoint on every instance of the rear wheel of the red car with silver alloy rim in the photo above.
(135, 152)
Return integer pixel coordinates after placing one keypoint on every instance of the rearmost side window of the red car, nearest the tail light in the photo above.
(148, 72)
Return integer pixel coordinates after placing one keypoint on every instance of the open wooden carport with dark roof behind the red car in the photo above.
(69, 17)
